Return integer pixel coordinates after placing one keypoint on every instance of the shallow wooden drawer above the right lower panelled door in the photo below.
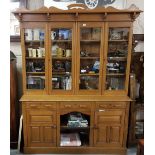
(110, 105)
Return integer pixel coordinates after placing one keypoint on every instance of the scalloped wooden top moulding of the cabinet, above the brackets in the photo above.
(79, 8)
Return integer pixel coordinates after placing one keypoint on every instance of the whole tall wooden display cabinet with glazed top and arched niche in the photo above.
(76, 62)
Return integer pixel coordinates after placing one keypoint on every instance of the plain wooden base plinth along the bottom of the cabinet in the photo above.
(75, 150)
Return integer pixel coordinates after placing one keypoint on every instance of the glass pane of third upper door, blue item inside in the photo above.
(89, 58)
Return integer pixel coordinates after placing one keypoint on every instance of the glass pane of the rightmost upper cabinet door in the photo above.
(117, 58)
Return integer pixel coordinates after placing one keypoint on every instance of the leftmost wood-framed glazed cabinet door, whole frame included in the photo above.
(34, 57)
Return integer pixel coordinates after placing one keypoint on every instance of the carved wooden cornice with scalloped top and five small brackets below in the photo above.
(77, 9)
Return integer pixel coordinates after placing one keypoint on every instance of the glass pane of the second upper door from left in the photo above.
(61, 52)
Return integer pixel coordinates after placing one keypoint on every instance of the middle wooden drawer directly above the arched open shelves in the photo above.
(74, 105)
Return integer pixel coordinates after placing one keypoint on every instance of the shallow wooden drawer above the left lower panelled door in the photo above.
(37, 105)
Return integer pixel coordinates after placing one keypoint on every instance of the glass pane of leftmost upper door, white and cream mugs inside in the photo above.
(35, 58)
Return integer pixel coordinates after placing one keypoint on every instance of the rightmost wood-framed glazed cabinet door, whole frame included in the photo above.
(118, 44)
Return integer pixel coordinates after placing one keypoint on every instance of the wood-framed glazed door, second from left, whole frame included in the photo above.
(62, 57)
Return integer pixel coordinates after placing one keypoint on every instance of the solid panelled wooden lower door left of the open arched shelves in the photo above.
(41, 127)
